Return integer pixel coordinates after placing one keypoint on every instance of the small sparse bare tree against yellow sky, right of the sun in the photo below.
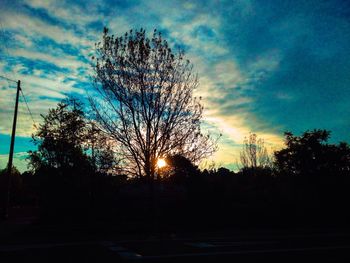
(254, 153)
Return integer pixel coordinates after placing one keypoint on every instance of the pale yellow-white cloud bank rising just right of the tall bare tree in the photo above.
(218, 79)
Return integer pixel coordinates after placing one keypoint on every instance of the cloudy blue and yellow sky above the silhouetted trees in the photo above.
(265, 67)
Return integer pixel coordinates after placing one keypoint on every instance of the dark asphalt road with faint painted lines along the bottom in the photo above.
(230, 246)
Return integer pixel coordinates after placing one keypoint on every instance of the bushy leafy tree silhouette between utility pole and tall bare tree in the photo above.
(60, 138)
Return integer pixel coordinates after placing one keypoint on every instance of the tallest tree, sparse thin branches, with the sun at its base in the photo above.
(146, 101)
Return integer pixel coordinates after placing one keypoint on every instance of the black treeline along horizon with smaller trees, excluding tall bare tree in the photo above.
(76, 176)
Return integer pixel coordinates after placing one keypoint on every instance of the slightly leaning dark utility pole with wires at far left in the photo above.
(9, 167)
